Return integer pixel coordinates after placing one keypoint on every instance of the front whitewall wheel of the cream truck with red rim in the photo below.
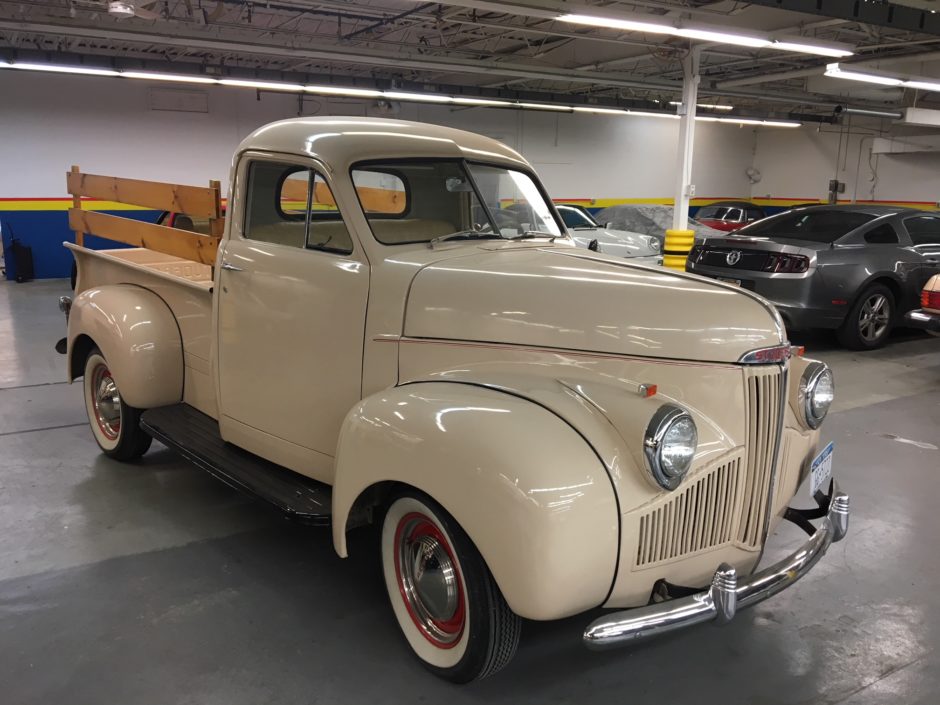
(445, 599)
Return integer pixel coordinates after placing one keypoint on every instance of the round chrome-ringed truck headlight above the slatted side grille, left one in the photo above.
(669, 445)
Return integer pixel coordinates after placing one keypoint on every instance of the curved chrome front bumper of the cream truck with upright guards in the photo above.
(726, 595)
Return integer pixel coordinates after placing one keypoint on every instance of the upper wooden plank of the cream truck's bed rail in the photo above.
(192, 200)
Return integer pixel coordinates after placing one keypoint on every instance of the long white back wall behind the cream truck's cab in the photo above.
(107, 125)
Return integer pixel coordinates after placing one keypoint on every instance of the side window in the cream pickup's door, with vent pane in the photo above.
(293, 205)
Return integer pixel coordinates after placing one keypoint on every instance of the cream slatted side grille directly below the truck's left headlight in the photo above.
(699, 516)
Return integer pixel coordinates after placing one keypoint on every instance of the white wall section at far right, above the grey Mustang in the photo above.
(800, 163)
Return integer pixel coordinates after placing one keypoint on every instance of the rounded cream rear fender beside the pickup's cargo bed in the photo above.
(138, 336)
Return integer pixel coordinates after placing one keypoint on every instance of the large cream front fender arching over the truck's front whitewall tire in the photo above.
(532, 495)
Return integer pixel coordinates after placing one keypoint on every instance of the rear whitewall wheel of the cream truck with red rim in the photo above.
(115, 425)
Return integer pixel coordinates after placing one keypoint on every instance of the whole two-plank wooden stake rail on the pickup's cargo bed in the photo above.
(189, 200)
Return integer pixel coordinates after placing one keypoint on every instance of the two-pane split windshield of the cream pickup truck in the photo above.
(412, 201)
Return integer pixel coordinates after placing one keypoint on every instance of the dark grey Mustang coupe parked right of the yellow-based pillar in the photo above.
(855, 268)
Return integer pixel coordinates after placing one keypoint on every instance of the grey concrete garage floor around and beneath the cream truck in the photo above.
(157, 584)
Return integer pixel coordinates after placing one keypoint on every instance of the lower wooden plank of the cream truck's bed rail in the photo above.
(159, 238)
